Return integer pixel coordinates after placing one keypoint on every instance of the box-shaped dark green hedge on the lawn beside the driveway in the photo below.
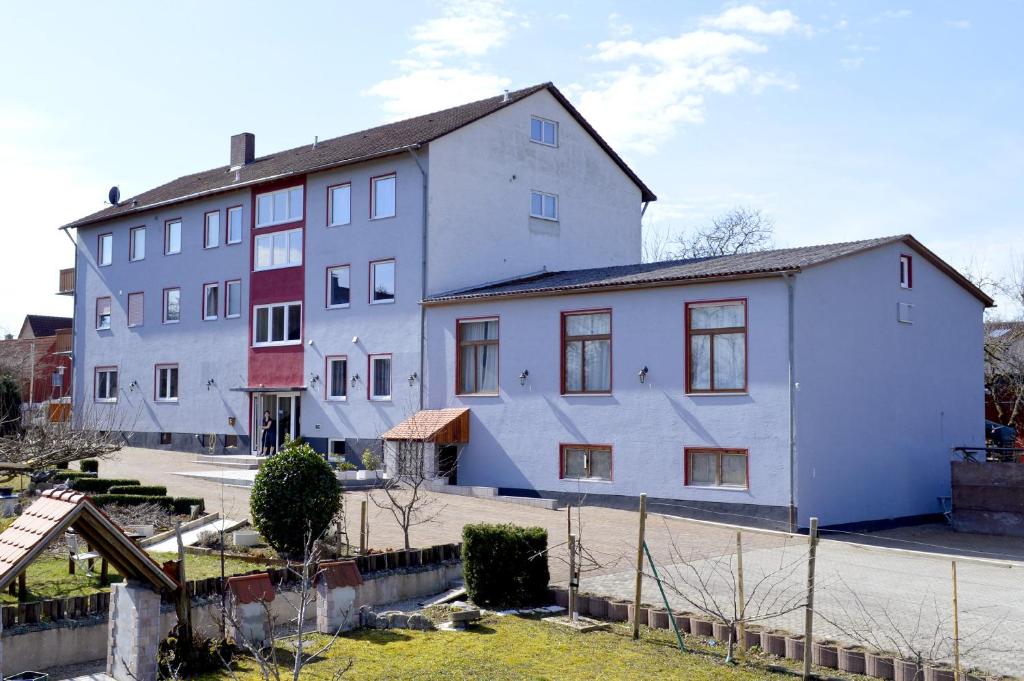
(505, 566)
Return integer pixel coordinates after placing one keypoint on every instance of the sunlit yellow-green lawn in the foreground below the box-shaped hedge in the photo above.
(514, 648)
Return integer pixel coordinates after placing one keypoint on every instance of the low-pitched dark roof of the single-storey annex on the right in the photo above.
(676, 272)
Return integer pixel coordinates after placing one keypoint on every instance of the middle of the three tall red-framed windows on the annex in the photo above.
(587, 353)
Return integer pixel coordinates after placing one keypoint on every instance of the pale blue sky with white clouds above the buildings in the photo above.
(840, 120)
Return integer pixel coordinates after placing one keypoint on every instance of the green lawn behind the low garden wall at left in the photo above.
(49, 578)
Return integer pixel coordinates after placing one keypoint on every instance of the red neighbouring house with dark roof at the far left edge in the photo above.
(40, 357)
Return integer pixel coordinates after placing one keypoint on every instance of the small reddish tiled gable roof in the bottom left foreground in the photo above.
(54, 514)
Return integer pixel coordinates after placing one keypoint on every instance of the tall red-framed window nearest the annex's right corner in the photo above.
(716, 340)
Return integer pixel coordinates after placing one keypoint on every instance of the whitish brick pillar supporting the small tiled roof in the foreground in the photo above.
(134, 634)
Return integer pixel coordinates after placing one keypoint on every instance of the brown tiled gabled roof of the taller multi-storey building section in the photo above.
(364, 146)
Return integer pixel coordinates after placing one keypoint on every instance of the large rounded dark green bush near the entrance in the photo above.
(295, 497)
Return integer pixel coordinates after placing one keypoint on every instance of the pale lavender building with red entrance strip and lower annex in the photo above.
(485, 258)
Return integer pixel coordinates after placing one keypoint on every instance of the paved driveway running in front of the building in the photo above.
(863, 586)
